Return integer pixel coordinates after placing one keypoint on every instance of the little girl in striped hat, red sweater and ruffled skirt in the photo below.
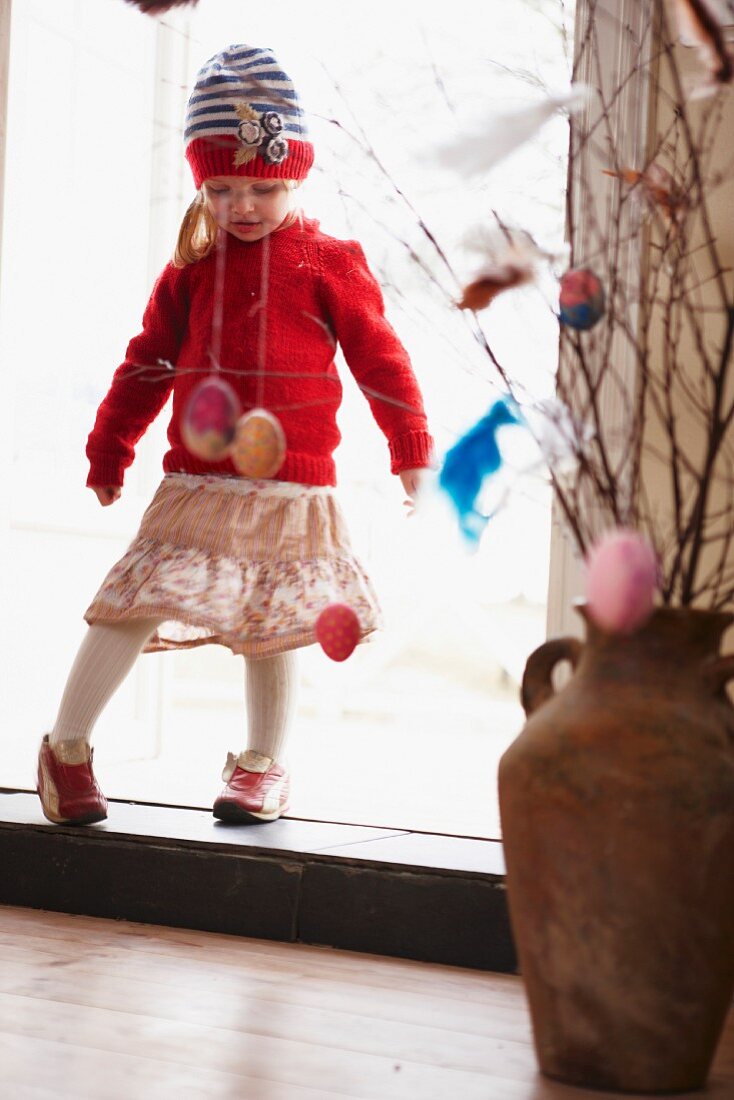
(260, 296)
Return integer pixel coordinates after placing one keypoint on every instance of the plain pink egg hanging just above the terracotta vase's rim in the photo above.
(622, 576)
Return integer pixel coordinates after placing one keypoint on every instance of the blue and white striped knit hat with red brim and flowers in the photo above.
(244, 119)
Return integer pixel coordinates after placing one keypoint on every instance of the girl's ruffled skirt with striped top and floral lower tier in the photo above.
(249, 565)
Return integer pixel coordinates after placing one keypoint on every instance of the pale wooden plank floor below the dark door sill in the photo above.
(103, 1009)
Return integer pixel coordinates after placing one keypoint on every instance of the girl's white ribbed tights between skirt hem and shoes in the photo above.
(108, 654)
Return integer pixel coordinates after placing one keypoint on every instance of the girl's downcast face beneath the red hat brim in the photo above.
(248, 208)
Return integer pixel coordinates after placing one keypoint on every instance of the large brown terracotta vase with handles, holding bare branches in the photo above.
(618, 818)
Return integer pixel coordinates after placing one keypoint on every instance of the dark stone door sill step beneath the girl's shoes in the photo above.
(417, 896)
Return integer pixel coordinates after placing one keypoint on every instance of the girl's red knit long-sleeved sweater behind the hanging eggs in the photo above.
(320, 290)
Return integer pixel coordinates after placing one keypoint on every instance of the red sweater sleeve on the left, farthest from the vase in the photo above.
(141, 384)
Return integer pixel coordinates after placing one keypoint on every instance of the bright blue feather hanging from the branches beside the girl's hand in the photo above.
(475, 458)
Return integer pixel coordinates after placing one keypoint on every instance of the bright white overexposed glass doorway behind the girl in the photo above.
(408, 733)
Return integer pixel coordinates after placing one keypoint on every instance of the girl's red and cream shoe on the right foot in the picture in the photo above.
(257, 789)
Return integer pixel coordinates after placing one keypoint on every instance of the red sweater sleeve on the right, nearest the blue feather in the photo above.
(375, 355)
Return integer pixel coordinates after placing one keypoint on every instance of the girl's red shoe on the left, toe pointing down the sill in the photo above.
(68, 788)
